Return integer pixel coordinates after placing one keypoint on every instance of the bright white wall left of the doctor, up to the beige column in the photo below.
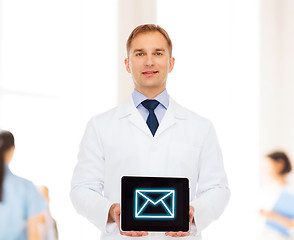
(58, 68)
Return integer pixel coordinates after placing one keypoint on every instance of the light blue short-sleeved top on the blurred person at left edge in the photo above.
(21, 200)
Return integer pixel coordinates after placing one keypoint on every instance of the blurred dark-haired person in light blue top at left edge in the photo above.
(21, 205)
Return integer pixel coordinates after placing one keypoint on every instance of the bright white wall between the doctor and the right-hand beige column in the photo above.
(216, 74)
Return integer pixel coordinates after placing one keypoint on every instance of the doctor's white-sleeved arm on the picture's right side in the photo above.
(212, 193)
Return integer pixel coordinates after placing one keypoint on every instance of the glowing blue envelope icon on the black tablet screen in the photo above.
(155, 203)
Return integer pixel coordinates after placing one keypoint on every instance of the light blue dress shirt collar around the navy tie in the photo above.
(162, 98)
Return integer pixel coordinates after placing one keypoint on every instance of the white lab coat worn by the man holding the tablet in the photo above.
(119, 143)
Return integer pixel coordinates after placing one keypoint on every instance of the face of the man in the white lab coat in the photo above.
(149, 61)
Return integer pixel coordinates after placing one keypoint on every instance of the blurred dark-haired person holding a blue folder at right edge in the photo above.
(280, 217)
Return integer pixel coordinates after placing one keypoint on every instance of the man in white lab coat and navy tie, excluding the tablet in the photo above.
(148, 135)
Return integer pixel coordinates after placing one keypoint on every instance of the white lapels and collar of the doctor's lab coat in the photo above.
(173, 114)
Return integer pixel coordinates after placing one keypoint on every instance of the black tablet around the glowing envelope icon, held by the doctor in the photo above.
(181, 219)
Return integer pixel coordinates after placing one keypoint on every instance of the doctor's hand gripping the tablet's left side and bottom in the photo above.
(114, 216)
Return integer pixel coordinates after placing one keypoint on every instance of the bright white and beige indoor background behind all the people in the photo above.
(62, 61)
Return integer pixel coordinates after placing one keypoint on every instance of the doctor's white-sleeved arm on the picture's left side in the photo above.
(88, 179)
